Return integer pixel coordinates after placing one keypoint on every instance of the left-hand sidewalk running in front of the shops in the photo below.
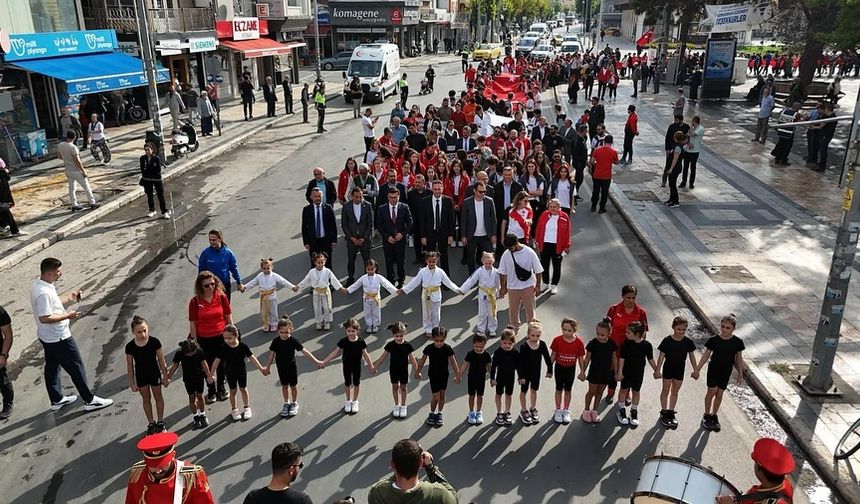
(41, 190)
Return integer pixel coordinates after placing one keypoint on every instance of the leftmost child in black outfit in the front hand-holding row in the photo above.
(145, 361)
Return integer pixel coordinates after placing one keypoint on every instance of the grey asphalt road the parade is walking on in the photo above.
(255, 194)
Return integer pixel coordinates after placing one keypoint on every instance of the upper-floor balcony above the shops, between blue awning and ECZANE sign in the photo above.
(123, 20)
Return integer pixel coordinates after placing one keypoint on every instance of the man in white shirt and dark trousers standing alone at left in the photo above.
(52, 328)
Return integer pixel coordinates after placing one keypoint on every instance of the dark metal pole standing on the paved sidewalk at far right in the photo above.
(819, 380)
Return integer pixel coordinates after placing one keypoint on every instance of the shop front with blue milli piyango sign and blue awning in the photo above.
(45, 73)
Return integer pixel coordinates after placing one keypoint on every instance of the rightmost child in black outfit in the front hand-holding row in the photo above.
(724, 351)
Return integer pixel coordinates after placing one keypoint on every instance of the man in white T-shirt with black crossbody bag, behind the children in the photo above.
(520, 292)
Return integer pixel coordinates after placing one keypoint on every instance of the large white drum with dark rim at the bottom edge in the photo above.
(671, 479)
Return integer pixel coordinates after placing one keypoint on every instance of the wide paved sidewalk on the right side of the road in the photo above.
(755, 240)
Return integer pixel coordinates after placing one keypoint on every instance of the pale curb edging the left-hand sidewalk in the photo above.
(112, 205)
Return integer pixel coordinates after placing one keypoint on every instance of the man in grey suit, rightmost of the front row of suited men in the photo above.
(478, 225)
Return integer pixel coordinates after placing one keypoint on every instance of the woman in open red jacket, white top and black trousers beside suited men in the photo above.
(552, 240)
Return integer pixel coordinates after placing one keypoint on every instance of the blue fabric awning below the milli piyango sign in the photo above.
(93, 73)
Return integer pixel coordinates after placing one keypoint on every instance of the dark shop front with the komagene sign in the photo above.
(355, 23)
